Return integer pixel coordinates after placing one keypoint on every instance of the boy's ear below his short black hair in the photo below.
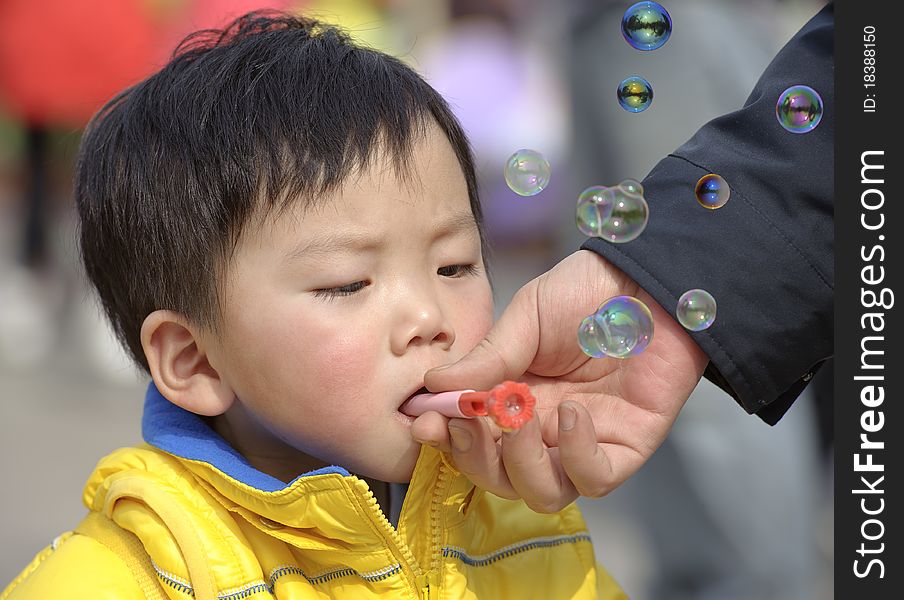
(180, 367)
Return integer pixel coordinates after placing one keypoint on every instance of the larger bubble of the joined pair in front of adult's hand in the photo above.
(623, 326)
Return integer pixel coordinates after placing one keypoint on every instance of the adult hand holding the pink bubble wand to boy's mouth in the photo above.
(598, 420)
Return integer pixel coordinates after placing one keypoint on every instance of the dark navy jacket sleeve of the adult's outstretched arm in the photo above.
(767, 255)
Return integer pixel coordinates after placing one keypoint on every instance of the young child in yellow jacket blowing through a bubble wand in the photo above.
(285, 233)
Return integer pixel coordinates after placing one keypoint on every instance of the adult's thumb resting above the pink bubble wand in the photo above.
(505, 353)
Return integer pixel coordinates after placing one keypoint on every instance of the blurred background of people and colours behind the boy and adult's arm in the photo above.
(729, 508)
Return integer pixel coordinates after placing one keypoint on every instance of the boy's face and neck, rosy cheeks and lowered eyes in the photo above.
(333, 314)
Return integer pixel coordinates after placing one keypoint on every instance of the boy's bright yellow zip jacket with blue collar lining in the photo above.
(169, 524)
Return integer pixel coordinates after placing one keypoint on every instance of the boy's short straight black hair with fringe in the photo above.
(251, 118)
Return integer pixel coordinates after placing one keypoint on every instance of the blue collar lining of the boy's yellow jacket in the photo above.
(184, 434)
